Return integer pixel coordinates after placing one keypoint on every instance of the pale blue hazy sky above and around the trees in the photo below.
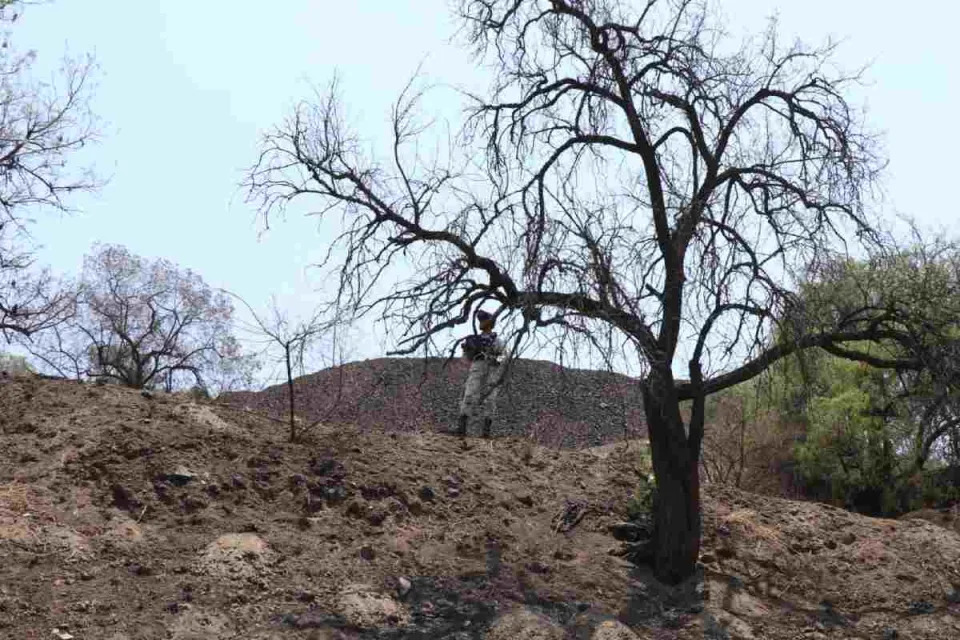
(185, 89)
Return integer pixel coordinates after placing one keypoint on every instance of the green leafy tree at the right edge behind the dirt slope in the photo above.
(870, 431)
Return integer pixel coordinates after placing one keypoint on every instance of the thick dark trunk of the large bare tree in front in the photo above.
(676, 465)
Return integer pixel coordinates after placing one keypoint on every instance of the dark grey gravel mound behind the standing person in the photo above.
(554, 405)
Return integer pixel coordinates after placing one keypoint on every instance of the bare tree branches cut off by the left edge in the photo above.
(42, 128)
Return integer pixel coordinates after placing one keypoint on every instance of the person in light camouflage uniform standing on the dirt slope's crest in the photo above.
(483, 350)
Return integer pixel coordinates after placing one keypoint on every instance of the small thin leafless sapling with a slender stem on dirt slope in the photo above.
(294, 340)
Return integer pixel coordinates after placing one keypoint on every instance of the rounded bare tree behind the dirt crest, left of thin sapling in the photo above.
(146, 324)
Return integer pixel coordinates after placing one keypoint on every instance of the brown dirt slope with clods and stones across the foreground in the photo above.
(125, 517)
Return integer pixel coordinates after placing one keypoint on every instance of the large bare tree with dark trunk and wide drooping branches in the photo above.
(647, 187)
